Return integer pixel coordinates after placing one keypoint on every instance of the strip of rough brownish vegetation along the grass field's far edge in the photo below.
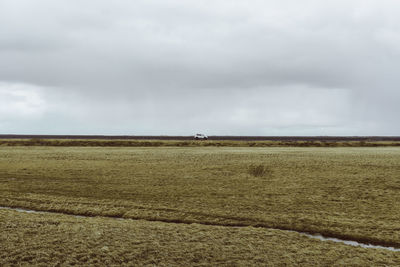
(191, 143)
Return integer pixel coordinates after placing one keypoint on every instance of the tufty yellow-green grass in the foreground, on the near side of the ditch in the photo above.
(54, 240)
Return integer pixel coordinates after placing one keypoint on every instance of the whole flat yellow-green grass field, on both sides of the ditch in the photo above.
(199, 205)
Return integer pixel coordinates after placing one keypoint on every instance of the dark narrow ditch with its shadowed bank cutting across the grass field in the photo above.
(325, 234)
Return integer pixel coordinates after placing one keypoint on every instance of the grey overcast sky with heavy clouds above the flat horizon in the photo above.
(220, 67)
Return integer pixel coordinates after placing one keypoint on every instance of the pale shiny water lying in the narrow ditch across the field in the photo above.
(314, 236)
